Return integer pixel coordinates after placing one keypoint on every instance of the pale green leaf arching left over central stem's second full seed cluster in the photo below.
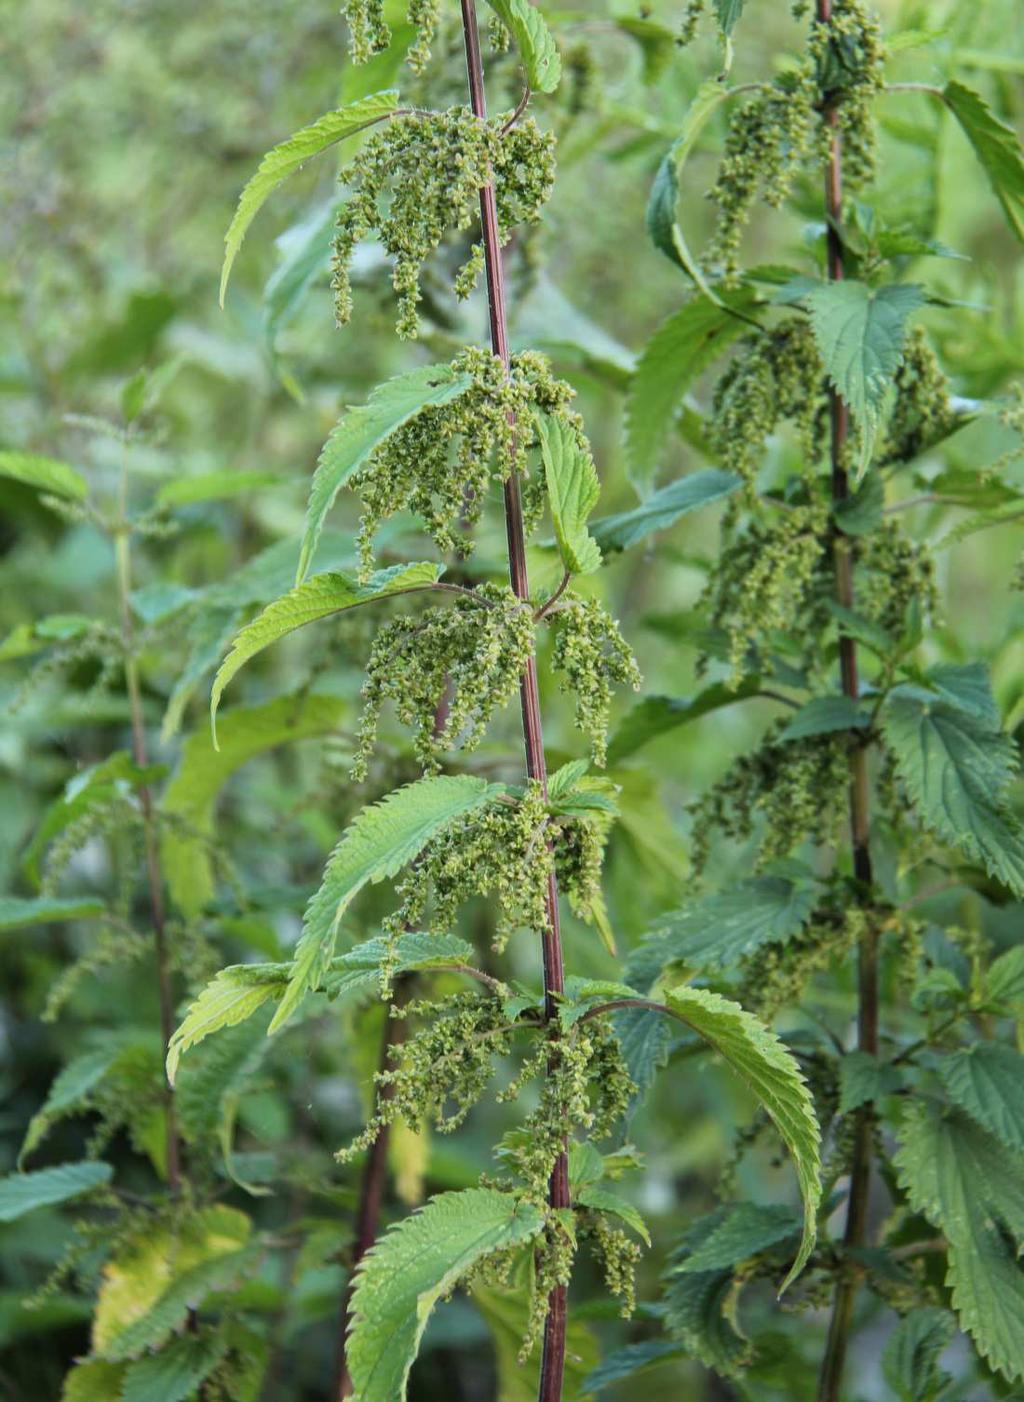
(363, 431)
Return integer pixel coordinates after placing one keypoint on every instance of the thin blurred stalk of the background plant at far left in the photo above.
(154, 874)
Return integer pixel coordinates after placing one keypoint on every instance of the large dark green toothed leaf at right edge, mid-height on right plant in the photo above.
(957, 772)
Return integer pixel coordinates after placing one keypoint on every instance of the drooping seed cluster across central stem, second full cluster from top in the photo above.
(443, 462)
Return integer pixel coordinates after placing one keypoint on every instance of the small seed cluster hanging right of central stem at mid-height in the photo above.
(591, 654)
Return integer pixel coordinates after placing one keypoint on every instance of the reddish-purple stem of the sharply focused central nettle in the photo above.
(553, 1356)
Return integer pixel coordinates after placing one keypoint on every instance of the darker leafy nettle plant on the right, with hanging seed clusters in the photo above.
(886, 782)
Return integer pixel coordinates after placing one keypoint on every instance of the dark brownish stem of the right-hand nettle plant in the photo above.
(849, 1281)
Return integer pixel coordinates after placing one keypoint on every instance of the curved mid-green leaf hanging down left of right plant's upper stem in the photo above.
(680, 351)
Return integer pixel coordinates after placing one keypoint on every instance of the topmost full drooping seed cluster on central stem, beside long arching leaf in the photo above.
(420, 177)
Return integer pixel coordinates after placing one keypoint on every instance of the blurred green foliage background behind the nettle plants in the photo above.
(130, 130)
